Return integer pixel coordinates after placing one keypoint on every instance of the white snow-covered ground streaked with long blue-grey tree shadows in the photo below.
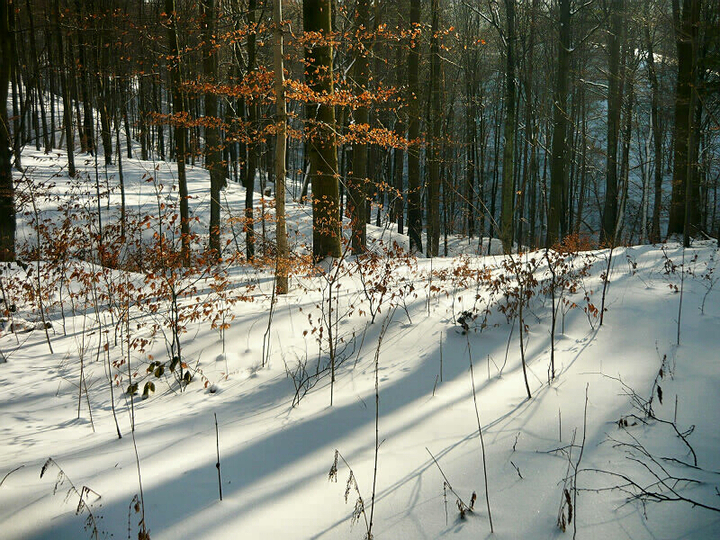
(587, 432)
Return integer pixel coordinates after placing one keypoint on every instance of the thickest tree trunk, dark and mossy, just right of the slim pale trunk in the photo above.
(317, 17)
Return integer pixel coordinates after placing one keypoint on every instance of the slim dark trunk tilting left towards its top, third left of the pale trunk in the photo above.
(180, 129)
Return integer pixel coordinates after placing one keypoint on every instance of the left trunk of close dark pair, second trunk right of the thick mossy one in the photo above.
(414, 203)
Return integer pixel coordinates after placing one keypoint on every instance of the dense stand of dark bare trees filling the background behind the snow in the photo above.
(521, 120)
